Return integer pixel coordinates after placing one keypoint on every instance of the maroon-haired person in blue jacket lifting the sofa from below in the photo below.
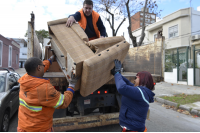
(135, 99)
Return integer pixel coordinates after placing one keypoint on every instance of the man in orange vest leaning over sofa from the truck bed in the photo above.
(89, 20)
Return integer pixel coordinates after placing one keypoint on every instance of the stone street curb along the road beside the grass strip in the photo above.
(183, 107)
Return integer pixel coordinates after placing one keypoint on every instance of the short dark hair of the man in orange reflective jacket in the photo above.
(31, 64)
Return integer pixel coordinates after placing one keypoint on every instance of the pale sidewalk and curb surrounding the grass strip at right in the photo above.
(169, 89)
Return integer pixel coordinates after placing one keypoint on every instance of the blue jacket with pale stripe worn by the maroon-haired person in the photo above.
(134, 103)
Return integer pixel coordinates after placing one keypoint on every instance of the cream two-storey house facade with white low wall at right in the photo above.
(179, 29)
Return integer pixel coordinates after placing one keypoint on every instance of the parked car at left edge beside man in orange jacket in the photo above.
(9, 96)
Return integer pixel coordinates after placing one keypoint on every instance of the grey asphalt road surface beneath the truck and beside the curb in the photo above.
(161, 120)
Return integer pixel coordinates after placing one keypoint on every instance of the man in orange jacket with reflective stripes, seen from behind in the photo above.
(38, 98)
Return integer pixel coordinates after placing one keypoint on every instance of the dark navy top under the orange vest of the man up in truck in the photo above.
(89, 27)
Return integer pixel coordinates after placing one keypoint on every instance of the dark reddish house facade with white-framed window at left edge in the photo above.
(9, 53)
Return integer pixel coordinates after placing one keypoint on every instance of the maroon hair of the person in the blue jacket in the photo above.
(146, 79)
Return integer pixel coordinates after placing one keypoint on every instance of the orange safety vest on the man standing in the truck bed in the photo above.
(83, 22)
